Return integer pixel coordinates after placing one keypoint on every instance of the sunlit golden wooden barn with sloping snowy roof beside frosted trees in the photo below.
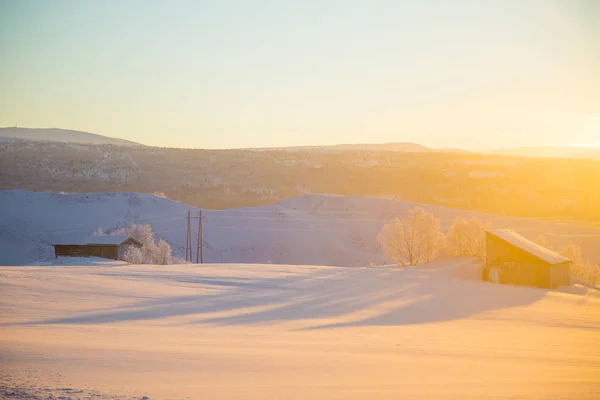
(513, 259)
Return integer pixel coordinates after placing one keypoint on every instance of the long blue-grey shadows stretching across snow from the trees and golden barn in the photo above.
(389, 298)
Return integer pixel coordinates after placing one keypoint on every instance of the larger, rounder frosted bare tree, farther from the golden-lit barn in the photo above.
(413, 239)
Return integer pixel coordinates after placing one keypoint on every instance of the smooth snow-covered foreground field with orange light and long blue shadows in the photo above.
(291, 332)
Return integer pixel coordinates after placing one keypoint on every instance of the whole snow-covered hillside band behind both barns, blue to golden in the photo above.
(311, 229)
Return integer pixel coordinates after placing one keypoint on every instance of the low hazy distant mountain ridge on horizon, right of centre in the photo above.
(395, 146)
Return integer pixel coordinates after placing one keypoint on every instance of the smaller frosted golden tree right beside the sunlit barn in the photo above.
(467, 237)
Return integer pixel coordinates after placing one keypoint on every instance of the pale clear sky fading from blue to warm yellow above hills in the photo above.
(471, 74)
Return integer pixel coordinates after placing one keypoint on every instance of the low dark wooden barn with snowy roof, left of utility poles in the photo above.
(110, 246)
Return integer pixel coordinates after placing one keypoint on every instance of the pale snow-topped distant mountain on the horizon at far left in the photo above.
(62, 135)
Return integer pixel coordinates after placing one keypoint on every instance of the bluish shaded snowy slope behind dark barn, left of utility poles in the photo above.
(32, 221)
